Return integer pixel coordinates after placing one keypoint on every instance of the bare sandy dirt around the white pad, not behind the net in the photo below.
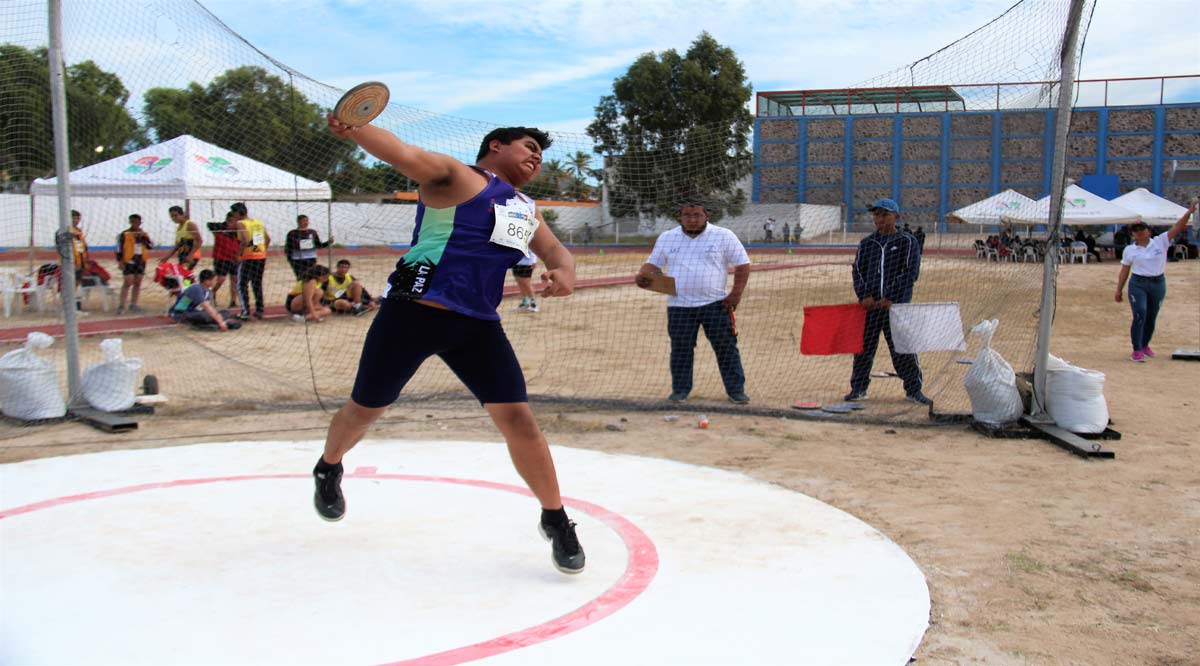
(1033, 555)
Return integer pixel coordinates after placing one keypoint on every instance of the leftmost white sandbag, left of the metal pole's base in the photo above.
(29, 385)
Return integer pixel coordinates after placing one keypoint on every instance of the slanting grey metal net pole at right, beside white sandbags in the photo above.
(1058, 171)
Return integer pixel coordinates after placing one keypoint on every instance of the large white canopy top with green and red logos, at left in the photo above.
(187, 169)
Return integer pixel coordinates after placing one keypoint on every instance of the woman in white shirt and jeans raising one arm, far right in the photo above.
(1147, 259)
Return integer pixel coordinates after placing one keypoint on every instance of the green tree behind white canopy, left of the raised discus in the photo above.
(260, 116)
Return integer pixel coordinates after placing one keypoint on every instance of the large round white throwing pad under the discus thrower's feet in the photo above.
(214, 555)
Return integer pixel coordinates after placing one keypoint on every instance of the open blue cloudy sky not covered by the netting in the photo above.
(548, 63)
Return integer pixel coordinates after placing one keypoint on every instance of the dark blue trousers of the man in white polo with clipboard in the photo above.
(683, 327)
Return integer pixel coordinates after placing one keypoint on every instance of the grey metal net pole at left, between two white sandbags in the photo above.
(63, 166)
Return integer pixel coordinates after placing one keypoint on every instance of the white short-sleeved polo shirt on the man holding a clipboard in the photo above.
(700, 266)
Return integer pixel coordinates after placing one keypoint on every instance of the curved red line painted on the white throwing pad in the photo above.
(640, 571)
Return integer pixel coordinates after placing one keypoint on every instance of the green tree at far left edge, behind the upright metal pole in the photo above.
(97, 116)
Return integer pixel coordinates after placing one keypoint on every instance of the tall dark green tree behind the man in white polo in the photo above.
(676, 130)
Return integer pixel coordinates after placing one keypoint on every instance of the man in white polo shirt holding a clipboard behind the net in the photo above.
(698, 256)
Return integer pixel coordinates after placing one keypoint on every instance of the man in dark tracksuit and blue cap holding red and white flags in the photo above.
(886, 267)
